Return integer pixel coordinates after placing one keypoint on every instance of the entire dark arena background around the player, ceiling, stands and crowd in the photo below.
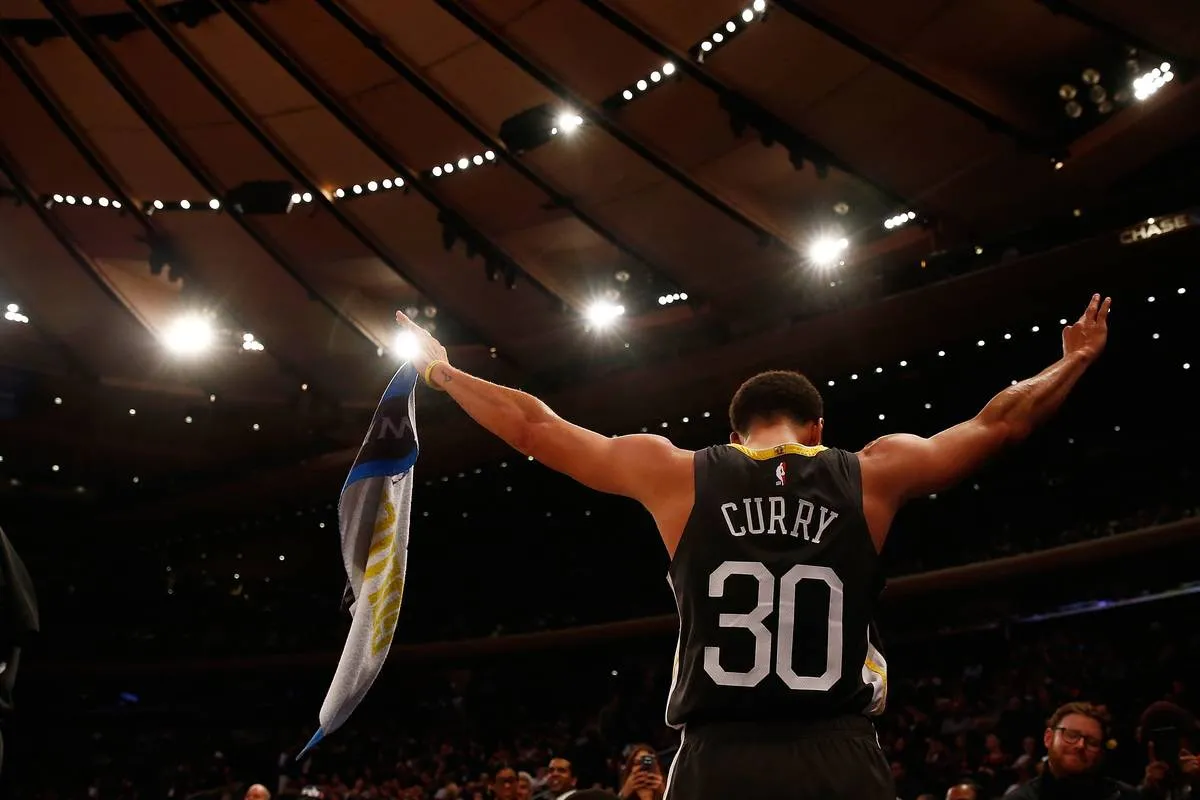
(211, 212)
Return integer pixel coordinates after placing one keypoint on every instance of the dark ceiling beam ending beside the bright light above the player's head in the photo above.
(607, 122)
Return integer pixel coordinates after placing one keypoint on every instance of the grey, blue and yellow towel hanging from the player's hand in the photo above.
(374, 516)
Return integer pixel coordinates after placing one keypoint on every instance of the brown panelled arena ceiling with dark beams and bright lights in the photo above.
(298, 170)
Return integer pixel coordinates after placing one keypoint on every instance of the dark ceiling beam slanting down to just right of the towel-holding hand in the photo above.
(235, 105)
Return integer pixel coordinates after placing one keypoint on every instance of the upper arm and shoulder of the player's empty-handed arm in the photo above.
(899, 467)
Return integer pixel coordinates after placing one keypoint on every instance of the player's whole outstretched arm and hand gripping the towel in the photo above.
(646, 468)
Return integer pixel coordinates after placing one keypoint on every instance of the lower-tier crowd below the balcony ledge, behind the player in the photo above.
(974, 709)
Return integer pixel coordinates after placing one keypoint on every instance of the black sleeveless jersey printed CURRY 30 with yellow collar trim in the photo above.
(776, 579)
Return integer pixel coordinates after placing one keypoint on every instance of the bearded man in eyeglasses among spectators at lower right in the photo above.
(1075, 739)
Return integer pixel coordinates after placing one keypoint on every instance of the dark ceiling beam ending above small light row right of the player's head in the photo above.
(809, 148)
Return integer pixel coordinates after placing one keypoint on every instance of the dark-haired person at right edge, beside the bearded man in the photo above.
(1174, 771)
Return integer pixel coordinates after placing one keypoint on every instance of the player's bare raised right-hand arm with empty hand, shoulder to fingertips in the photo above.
(899, 467)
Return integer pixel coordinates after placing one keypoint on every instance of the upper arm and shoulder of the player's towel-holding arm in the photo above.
(643, 467)
